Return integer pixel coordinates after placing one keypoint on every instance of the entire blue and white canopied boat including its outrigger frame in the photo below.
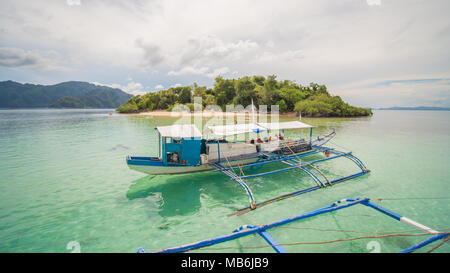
(182, 149)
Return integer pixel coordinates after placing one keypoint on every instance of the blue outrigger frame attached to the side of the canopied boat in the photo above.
(294, 163)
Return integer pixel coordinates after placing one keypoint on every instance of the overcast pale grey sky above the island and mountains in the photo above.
(373, 53)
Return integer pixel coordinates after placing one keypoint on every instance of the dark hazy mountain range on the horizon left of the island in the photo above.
(73, 94)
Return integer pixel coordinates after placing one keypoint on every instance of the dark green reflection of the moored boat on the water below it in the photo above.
(185, 194)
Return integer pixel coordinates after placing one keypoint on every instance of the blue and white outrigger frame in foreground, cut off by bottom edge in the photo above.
(262, 229)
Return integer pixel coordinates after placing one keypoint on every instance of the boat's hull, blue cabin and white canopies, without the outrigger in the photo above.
(183, 150)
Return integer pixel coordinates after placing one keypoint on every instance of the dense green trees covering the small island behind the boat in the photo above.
(313, 100)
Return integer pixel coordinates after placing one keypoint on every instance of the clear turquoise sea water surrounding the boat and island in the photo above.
(63, 178)
